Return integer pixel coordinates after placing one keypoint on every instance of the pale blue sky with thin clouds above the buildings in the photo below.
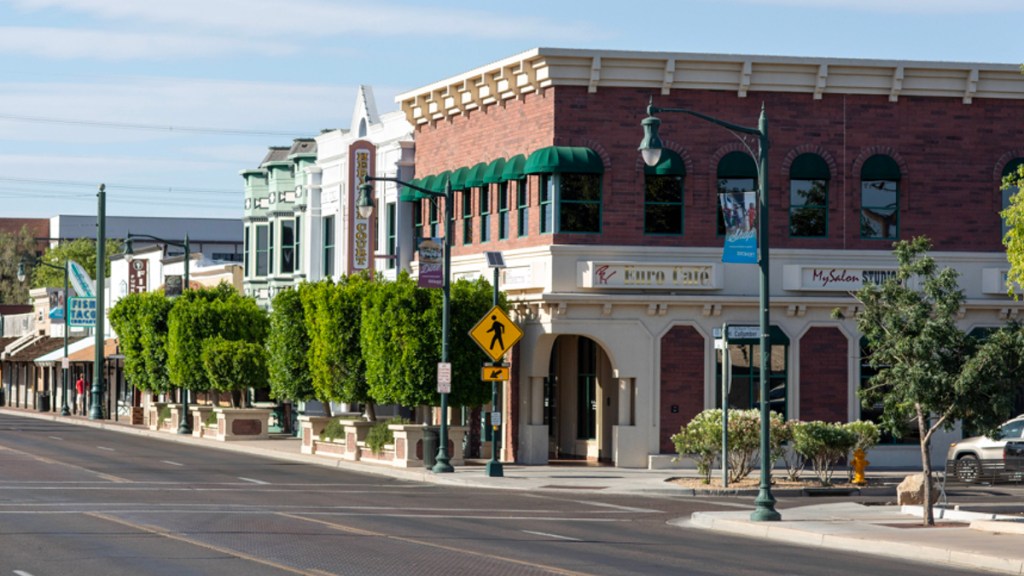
(165, 102)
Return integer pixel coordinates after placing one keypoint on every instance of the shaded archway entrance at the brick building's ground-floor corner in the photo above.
(581, 402)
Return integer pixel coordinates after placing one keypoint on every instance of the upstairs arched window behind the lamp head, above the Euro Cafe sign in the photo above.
(663, 212)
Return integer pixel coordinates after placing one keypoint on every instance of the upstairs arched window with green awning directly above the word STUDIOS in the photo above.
(880, 198)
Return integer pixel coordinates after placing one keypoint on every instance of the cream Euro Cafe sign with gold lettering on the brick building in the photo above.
(644, 276)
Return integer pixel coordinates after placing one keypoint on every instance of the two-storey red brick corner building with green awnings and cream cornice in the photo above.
(615, 270)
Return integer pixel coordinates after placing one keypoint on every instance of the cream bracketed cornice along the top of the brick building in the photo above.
(663, 73)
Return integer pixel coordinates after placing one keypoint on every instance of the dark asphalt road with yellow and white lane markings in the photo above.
(86, 502)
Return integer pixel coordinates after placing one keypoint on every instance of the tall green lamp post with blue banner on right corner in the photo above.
(651, 149)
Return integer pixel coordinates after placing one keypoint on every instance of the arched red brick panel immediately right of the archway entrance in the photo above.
(682, 382)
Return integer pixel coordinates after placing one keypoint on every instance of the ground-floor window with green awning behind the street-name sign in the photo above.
(745, 361)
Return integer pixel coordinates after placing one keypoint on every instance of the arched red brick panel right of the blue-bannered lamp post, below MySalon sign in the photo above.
(824, 391)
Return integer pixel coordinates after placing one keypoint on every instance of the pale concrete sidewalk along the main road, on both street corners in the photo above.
(962, 540)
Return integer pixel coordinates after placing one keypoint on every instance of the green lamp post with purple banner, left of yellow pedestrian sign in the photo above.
(366, 208)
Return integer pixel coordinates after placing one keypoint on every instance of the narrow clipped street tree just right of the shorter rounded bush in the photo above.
(287, 348)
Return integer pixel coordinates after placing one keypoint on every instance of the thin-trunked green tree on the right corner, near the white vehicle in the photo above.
(928, 369)
